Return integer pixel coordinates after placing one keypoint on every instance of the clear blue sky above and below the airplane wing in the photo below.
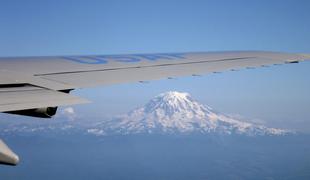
(278, 96)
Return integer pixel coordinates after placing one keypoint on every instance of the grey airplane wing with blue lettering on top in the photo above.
(28, 85)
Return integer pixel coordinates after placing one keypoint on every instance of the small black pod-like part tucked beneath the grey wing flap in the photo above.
(46, 112)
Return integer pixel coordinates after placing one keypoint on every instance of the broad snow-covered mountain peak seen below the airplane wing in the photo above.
(175, 112)
